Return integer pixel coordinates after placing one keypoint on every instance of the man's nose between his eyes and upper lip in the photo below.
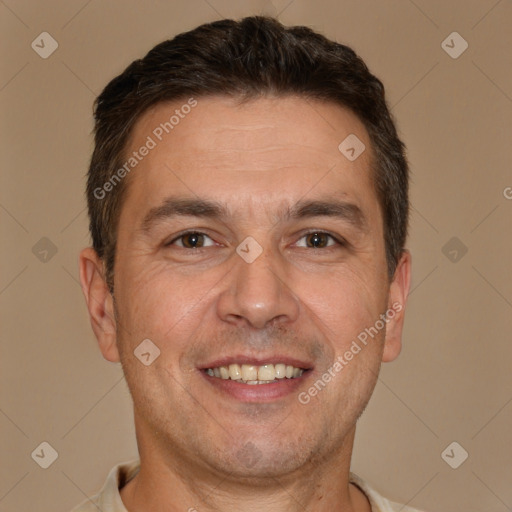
(258, 294)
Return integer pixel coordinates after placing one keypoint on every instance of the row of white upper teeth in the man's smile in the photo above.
(255, 374)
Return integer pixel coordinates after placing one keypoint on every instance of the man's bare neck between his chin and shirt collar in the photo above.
(170, 482)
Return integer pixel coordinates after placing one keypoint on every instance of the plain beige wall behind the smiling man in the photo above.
(452, 381)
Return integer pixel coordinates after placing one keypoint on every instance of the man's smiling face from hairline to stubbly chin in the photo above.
(301, 302)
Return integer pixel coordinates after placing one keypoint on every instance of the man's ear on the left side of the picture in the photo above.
(100, 303)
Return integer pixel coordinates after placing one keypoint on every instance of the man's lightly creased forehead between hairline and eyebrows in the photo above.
(266, 150)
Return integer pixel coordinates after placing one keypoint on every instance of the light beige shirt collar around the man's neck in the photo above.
(109, 499)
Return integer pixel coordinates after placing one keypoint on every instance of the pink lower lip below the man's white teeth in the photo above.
(257, 392)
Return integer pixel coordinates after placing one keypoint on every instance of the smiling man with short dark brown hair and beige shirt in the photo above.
(248, 201)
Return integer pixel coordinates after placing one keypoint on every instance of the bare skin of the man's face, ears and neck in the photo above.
(200, 447)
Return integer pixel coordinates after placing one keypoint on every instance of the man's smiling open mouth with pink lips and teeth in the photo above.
(248, 380)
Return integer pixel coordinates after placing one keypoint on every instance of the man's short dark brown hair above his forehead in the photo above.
(249, 58)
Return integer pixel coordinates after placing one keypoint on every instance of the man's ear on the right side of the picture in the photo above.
(397, 298)
